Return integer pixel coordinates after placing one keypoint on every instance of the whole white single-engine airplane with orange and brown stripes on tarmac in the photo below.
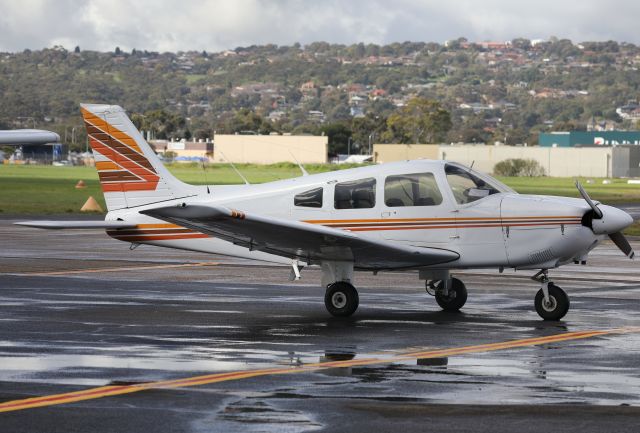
(430, 216)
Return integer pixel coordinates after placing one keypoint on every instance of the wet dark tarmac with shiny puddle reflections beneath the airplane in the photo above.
(79, 311)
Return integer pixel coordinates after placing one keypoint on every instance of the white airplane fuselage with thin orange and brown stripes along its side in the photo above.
(496, 229)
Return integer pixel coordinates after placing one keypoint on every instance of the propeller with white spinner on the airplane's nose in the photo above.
(610, 222)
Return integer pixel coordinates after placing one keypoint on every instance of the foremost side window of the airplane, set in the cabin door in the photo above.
(419, 189)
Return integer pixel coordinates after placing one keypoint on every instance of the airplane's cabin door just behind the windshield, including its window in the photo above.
(414, 211)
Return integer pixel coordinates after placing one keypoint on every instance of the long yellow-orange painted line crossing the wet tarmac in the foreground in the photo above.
(107, 391)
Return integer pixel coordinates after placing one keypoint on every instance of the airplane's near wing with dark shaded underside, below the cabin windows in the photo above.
(299, 240)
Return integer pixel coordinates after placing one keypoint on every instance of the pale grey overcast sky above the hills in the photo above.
(215, 25)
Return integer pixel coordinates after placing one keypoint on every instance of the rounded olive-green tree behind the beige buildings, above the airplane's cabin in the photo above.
(422, 120)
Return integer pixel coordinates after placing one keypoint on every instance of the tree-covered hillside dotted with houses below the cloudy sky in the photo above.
(505, 91)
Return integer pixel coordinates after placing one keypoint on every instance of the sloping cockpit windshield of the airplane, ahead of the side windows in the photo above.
(468, 185)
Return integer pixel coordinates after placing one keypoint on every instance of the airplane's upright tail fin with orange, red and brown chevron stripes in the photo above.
(130, 172)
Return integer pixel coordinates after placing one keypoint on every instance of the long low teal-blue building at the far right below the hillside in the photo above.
(589, 138)
